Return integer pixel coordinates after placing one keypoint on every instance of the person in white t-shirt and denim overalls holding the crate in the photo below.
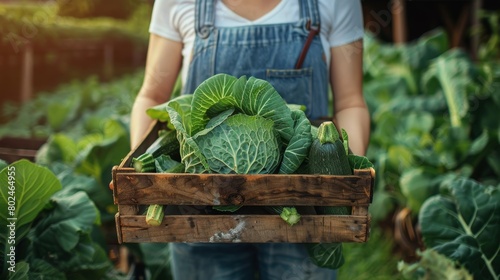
(302, 48)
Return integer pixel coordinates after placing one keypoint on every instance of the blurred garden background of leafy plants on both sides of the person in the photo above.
(69, 73)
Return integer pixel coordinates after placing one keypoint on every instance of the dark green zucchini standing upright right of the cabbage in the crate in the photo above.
(328, 155)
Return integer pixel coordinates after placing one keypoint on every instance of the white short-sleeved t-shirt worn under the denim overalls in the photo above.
(341, 22)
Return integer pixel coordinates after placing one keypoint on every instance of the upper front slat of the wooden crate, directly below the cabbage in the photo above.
(224, 189)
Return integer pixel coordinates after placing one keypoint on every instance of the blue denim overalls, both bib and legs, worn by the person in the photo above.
(268, 52)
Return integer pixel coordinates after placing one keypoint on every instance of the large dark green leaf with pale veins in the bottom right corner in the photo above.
(463, 224)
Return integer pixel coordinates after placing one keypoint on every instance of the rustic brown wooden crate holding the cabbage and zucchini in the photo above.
(131, 190)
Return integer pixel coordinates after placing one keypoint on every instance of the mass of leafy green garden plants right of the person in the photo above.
(435, 142)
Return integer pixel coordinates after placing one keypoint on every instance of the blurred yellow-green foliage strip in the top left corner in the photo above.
(40, 23)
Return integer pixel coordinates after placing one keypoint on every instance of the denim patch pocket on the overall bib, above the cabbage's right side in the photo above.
(294, 85)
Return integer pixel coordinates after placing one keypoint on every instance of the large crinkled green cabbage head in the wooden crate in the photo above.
(235, 125)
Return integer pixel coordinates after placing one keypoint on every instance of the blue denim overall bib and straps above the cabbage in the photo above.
(266, 52)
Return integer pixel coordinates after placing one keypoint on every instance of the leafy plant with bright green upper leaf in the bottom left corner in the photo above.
(51, 232)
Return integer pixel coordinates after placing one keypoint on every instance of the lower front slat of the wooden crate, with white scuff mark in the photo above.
(244, 228)
